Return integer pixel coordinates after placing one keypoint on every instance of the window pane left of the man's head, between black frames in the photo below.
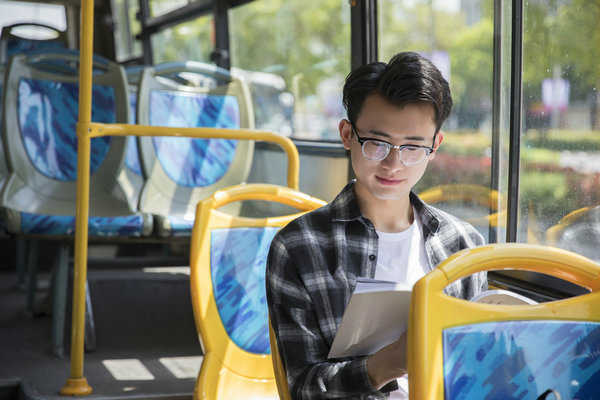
(298, 55)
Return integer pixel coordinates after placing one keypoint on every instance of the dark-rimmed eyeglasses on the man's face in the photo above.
(376, 150)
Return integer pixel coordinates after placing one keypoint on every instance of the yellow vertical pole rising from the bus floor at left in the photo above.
(77, 384)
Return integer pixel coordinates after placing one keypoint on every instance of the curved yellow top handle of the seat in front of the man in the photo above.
(560, 263)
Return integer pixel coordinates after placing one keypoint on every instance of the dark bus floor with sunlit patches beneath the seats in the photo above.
(146, 342)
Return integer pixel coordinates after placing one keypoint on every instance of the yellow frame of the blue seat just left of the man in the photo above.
(229, 372)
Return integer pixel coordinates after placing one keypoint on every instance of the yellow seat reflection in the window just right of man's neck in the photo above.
(469, 201)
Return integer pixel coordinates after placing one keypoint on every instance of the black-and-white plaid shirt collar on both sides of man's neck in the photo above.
(345, 208)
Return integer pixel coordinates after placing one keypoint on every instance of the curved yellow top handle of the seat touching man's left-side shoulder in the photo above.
(268, 192)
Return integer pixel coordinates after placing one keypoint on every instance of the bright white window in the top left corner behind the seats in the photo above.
(12, 12)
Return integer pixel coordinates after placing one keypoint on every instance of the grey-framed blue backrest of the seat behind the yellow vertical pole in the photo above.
(40, 113)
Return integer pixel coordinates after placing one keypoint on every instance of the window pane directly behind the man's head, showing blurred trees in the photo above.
(458, 37)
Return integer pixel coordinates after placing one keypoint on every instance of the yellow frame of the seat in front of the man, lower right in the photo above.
(432, 311)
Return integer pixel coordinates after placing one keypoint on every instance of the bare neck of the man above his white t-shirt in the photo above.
(386, 215)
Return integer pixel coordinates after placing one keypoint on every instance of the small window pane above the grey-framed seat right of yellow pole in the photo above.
(190, 41)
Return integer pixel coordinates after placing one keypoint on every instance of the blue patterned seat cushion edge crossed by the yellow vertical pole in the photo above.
(120, 226)
